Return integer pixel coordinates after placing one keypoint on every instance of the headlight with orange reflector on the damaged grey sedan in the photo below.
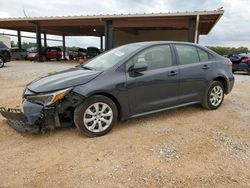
(49, 98)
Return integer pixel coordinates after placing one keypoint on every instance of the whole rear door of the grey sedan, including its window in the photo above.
(193, 72)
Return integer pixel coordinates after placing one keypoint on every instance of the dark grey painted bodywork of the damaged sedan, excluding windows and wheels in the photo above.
(135, 94)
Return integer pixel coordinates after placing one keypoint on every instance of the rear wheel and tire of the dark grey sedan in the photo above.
(214, 96)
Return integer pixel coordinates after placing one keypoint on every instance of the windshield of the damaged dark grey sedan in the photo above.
(111, 58)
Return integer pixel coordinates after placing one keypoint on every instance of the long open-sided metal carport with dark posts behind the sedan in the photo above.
(118, 29)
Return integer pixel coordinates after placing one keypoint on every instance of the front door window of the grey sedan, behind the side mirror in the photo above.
(155, 57)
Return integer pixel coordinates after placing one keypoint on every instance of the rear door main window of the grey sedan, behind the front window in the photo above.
(187, 54)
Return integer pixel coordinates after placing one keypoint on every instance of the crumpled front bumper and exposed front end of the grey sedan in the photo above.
(36, 118)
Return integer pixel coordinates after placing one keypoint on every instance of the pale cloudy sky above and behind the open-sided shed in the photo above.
(233, 29)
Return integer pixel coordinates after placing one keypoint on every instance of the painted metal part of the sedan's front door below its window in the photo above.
(152, 89)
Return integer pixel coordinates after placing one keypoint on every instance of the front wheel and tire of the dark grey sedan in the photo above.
(88, 121)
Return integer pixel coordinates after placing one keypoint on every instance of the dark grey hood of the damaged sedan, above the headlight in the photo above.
(63, 79)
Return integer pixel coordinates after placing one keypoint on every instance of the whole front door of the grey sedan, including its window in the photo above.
(157, 87)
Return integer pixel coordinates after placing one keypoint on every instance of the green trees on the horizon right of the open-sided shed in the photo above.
(228, 50)
